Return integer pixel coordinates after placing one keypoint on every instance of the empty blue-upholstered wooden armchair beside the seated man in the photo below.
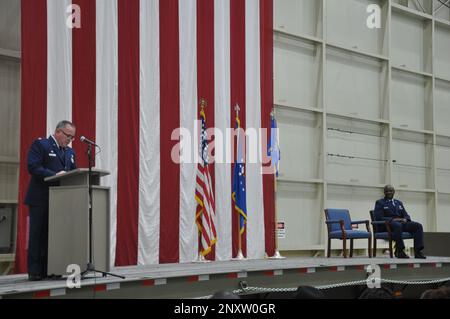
(339, 225)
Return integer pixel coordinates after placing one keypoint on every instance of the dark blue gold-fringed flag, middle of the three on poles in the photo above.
(239, 193)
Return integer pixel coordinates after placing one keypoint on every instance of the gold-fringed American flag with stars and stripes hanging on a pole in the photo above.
(204, 195)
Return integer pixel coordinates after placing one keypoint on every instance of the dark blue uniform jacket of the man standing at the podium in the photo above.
(46, 159)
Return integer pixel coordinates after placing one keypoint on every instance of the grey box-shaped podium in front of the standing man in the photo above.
(68, 223)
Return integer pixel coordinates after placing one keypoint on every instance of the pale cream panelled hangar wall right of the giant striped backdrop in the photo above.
(360, 107)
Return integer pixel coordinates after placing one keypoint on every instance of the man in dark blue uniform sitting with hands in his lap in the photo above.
(394, 211)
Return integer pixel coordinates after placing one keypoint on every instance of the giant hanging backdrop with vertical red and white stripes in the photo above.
(127, 78)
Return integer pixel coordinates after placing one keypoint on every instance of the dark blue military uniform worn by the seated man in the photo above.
(388, 209)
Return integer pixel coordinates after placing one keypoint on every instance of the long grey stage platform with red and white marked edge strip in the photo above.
(197, 280)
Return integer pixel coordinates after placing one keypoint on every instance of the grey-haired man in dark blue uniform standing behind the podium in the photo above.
(46, 157)
